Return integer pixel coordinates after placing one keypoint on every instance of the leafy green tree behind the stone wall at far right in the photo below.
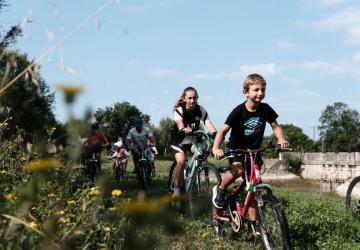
(339, 128)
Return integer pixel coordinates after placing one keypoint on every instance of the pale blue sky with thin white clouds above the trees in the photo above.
(147, 51)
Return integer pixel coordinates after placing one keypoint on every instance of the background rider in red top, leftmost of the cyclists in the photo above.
(95, 141)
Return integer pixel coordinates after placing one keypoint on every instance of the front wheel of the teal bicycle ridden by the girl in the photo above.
(201, 193)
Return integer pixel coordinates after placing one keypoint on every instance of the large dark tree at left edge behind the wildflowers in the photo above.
(28, 103)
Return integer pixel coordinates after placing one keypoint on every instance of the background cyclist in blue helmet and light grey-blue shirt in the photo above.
(137, 140)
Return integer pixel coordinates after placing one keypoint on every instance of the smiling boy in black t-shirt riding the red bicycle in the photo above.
(247, 123)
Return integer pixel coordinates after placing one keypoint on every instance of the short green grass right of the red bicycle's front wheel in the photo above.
(319, 222)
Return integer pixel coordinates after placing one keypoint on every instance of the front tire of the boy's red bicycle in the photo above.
(272, 222)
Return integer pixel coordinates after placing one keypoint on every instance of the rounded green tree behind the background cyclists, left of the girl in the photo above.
(116, 120)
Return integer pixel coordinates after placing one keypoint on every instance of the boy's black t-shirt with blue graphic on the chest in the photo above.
(247, 128)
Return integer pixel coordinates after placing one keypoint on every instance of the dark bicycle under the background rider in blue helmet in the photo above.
(145, 168)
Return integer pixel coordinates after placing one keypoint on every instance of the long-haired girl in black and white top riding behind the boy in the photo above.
(187, 115)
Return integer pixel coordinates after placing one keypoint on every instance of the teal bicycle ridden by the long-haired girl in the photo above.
(199, 175)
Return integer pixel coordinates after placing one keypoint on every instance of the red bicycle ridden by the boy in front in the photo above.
(271, 219)
